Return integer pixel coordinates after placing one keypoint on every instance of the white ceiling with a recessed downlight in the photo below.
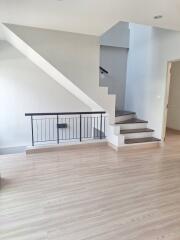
(89, 16)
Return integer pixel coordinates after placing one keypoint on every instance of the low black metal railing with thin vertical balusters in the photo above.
(61, 127)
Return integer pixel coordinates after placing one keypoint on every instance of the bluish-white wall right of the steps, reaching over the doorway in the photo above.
(150, 50)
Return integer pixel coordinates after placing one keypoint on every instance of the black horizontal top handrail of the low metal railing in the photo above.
(63, 113)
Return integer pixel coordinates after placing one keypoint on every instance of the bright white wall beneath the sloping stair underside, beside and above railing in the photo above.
(25, 88)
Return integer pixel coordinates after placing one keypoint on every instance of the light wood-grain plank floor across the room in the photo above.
(92, 194)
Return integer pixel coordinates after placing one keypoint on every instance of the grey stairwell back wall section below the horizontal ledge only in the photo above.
(114, 60)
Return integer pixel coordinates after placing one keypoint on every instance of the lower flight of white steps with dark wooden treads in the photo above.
(134, 130)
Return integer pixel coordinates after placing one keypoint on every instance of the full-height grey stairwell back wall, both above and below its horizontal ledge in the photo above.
(113, 57)
